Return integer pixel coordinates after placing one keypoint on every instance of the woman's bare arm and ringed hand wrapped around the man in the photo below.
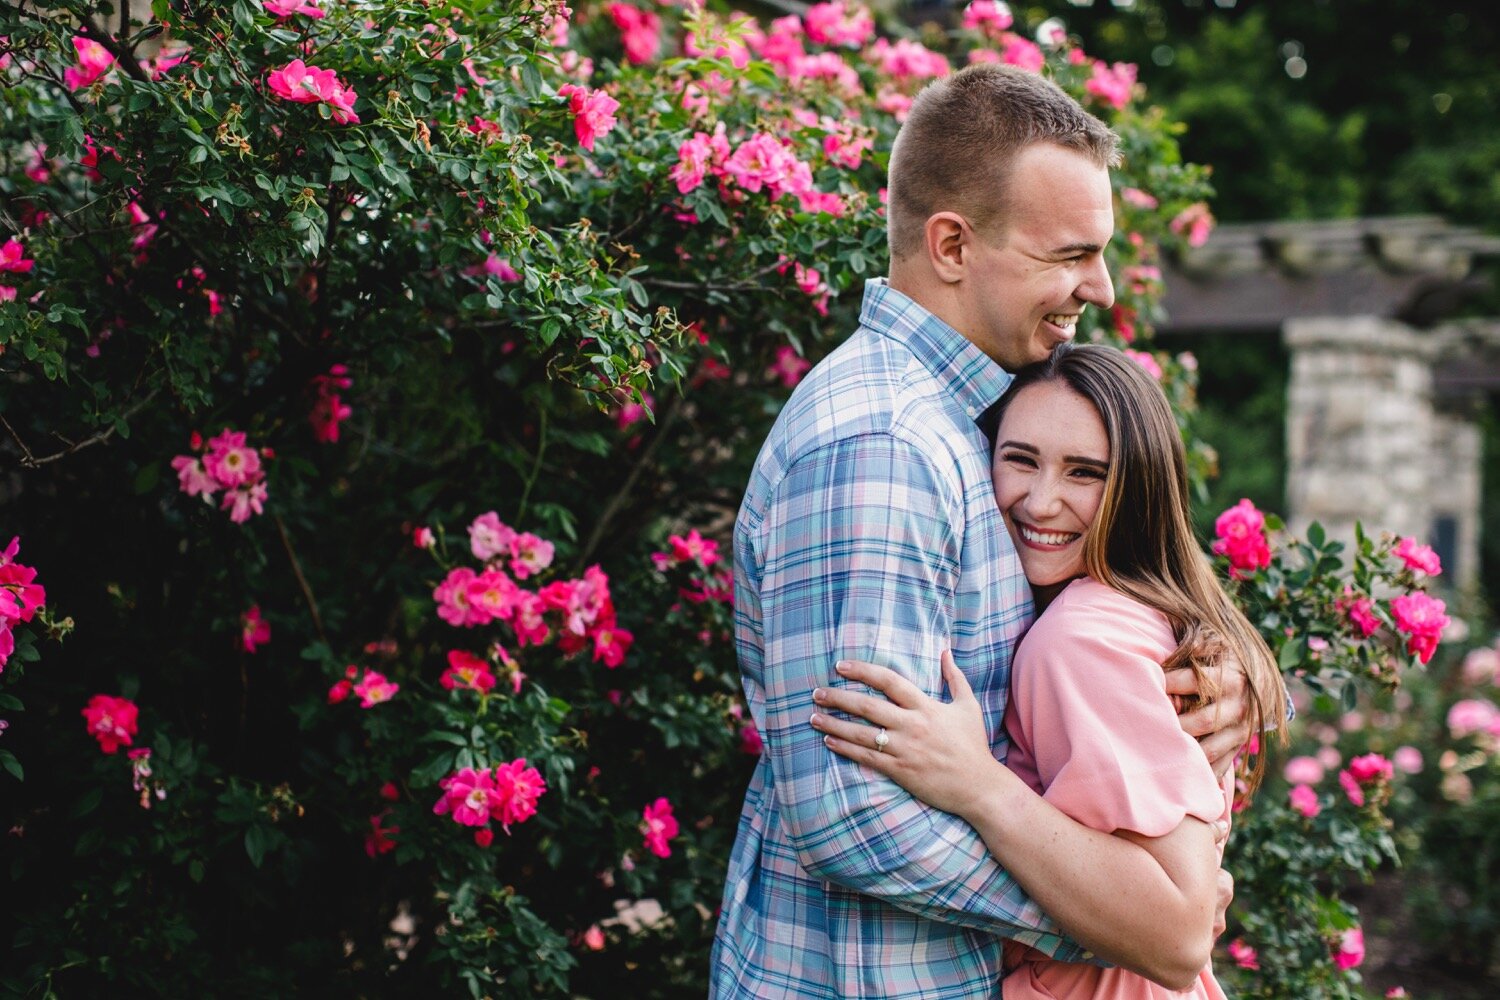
(1147, 905)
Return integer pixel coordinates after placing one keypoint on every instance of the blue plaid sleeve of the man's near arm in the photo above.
(860, 554)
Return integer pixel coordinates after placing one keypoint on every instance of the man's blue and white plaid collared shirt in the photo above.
(869, 531)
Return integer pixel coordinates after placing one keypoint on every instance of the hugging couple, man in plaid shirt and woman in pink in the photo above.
(961, 496)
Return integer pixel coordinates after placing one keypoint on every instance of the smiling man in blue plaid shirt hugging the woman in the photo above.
(869, 531)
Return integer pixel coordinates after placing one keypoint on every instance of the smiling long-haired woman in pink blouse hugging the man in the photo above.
(1091, 481)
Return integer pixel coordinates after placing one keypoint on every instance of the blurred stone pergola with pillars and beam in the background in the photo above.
(1385, 386)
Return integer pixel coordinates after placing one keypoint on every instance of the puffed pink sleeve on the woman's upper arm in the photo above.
(1091, 695)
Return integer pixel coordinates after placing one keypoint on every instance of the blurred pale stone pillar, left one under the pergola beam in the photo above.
(1361, 430)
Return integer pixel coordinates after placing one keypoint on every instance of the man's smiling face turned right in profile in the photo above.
(1033, 280)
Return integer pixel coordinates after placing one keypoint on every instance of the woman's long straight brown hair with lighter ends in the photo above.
(1142, 540)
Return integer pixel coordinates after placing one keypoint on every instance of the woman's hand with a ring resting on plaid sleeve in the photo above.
(938, 752)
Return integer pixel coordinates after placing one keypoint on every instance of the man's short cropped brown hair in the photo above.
(956, 151)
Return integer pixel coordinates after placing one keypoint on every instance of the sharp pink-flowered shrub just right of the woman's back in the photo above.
(1342, 621)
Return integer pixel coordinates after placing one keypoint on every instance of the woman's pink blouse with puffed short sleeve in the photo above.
(1094, 732)
